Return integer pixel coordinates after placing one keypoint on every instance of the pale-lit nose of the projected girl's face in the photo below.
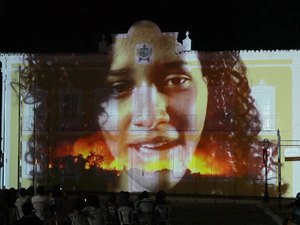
(149, 109)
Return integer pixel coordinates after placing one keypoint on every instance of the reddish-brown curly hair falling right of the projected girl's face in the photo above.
(232, 123)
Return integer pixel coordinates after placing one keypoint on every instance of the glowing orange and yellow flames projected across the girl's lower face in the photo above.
(96, 154)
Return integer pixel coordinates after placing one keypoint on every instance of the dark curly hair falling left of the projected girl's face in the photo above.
(41, 76)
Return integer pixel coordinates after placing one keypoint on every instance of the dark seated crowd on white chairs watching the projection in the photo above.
(54, 207)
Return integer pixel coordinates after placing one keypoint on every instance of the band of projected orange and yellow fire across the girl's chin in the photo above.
(96, 154)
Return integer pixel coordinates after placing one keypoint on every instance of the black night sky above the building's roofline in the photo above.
(77, 25)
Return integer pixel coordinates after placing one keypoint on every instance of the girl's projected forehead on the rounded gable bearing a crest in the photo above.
(144, 44)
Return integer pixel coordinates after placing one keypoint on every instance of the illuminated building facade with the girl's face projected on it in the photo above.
(148, 115)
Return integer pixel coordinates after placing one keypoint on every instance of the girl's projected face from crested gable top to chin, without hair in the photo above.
(154, 116)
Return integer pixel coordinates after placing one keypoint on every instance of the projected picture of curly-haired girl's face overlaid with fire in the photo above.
(144, 116)
